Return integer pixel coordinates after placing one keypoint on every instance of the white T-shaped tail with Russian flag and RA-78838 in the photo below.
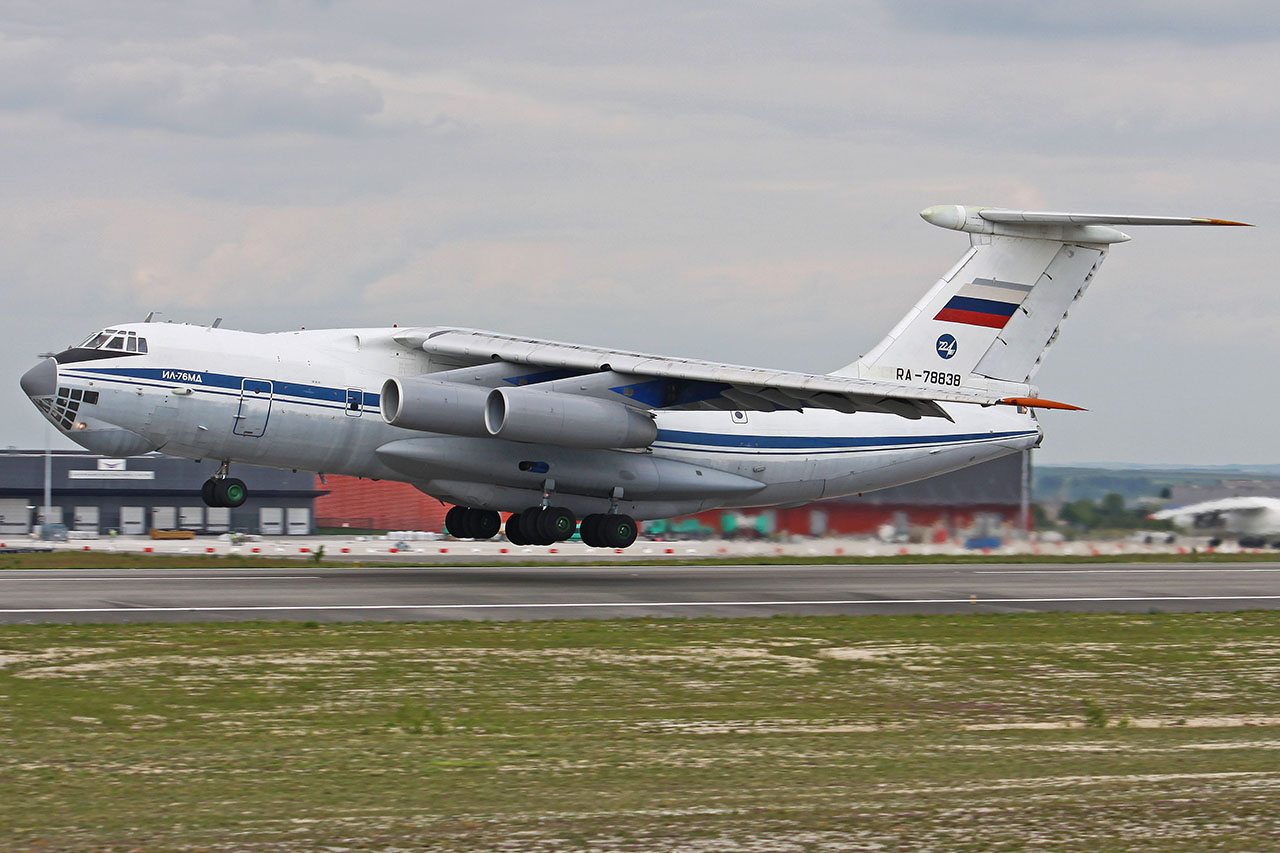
(993, 317)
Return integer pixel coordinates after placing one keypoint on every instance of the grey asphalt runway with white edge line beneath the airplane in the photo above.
(579, 592)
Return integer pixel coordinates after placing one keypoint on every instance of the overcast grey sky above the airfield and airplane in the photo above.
(732, 181)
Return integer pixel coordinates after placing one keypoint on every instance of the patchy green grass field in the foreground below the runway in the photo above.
(963, 733)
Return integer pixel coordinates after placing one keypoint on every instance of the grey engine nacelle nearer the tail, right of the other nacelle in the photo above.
(568, 421)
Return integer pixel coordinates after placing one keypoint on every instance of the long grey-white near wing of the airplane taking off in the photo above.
(665, 382)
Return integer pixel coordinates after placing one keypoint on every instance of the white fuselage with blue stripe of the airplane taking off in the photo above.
(310, 400)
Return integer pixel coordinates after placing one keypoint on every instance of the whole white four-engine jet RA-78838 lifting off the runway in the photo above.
(560, 434)
